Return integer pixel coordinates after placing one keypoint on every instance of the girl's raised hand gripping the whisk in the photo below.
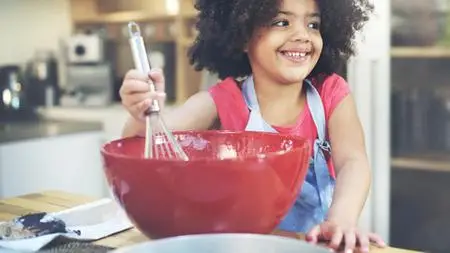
(135, 91)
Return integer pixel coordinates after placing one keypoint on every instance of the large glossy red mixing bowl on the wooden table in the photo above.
(234, 182)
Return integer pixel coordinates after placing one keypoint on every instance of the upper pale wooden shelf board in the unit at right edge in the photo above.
(421, 52)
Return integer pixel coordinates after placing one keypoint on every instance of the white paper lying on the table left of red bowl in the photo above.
(94, 220)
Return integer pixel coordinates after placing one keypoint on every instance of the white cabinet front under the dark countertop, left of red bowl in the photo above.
(69, 162)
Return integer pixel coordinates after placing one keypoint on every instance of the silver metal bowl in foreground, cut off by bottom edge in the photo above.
(224, 243)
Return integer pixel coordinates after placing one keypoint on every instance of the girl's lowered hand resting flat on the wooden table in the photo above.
(340, 237)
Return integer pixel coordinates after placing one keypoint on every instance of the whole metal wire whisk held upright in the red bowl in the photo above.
(159, 141)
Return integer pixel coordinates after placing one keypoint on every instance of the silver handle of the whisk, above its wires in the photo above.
(140, 59)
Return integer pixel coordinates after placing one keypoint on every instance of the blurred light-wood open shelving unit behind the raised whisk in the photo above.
(162, 21)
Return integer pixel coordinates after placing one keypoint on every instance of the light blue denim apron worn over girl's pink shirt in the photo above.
(313, 201)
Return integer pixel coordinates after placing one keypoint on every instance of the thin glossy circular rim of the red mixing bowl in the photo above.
(305, 145)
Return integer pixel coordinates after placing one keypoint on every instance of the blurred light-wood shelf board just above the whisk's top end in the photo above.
(123, 17)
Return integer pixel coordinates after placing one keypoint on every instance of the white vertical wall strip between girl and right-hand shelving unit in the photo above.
(369, 78)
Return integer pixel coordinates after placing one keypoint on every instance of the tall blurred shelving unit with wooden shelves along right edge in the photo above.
(420, 124)
